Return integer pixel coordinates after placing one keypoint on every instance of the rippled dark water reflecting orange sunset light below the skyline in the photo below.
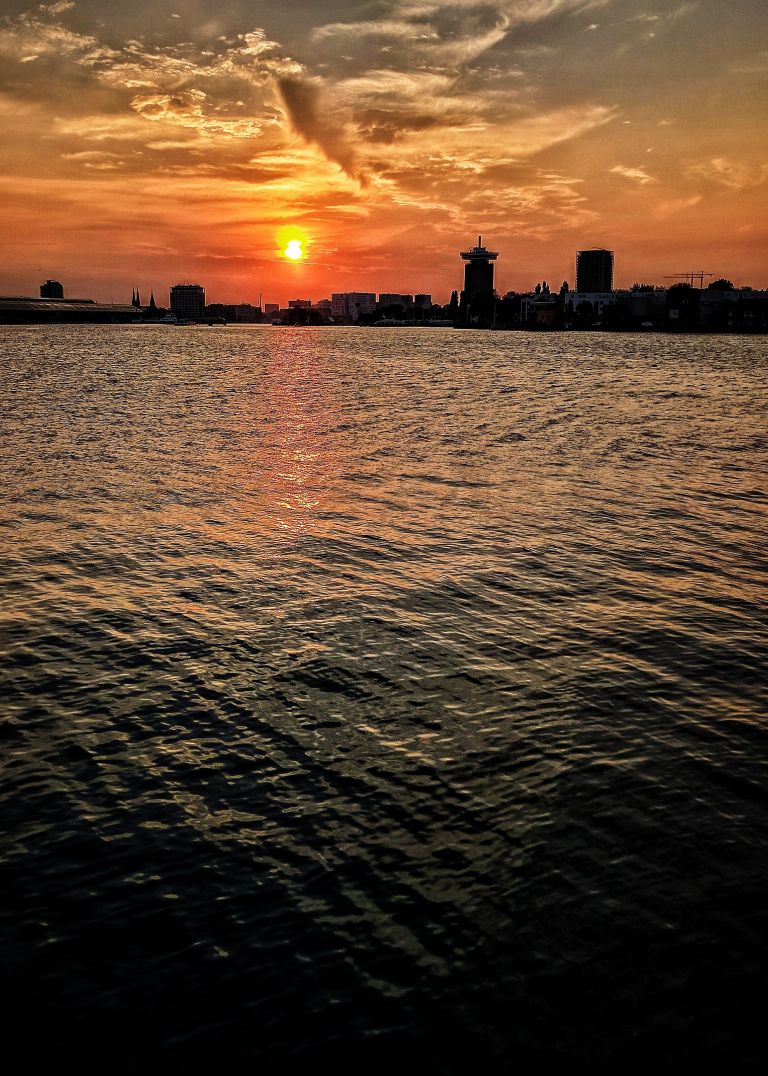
(383, 697)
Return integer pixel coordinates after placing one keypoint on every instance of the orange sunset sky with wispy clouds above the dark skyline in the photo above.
(159, 141)
